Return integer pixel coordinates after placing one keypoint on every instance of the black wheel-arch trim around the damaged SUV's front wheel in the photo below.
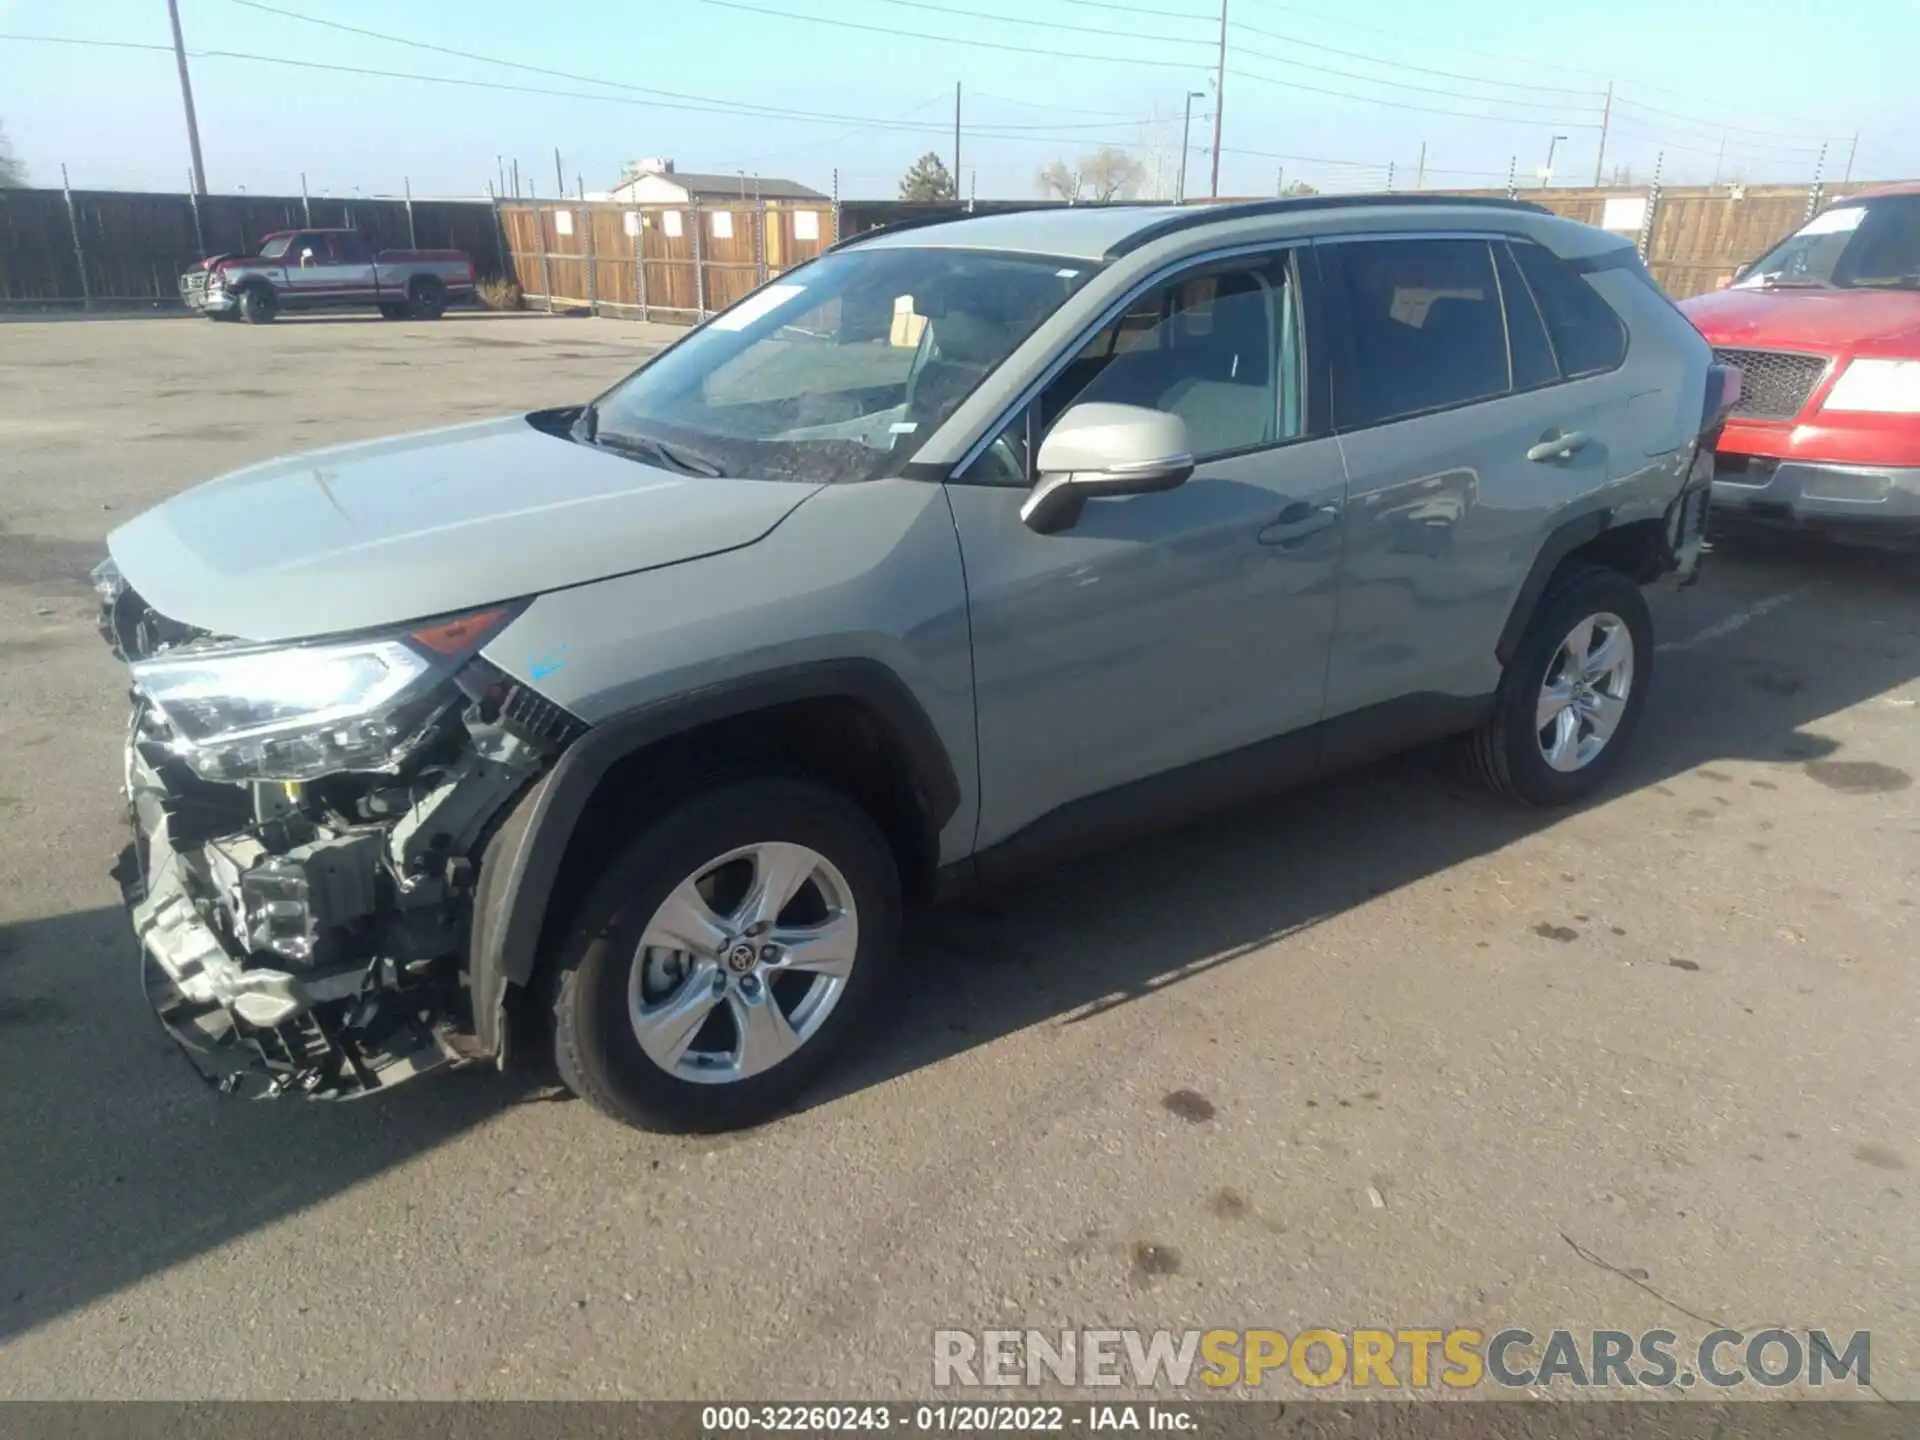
(525, 853)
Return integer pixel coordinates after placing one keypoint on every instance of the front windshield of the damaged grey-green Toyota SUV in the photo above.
(838, 372)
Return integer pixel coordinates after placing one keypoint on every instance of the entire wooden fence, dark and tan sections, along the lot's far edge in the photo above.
(686, 262)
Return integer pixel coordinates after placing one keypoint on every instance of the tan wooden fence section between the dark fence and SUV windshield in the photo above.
(671, 262)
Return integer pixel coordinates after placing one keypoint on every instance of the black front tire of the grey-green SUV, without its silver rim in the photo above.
(594, 1044)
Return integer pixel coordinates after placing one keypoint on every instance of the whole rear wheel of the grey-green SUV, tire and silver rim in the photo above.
(1573, 694)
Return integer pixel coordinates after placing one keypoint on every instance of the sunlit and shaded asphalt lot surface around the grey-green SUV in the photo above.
(1380, 1053)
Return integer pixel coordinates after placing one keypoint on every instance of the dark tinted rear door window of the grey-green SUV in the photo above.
(1424, 329)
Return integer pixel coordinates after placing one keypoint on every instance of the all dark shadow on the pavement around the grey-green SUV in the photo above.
(116, 1164)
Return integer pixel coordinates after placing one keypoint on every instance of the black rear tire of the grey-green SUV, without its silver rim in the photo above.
(1506, 752)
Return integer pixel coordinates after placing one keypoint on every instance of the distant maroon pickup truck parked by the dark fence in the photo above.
(327, 270)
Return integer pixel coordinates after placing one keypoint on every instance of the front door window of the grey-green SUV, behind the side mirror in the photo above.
(1220, 348)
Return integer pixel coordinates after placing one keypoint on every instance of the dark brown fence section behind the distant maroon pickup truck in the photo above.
(130, 249)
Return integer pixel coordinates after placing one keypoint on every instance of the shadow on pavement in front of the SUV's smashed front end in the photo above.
(116, 1163)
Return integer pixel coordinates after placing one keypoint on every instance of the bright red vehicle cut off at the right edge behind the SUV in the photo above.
(1825, 329)
